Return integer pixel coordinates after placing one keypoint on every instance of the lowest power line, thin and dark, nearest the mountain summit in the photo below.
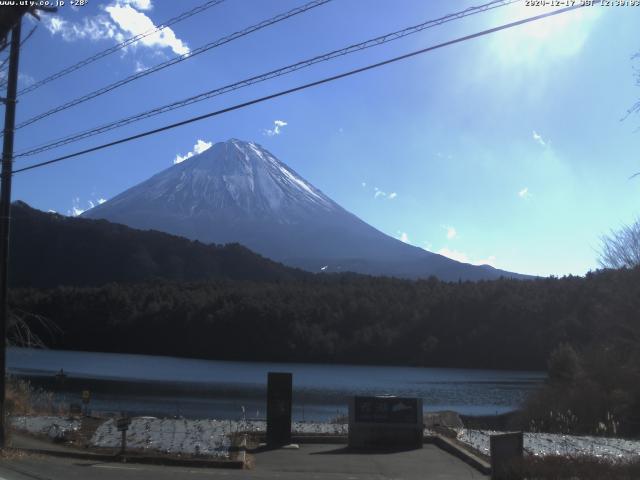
(302, 87)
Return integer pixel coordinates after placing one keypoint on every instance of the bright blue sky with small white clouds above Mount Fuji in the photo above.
(508, 149)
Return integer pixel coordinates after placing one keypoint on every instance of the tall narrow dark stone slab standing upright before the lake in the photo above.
(279, 399)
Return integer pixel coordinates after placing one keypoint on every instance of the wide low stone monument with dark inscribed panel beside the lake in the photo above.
(385, 422)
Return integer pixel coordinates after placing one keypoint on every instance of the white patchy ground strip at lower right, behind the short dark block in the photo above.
(541, 444)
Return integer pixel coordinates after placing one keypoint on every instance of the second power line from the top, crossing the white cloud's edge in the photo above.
(175, 60)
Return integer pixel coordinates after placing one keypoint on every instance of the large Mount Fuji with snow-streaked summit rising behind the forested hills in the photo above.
(237, 191)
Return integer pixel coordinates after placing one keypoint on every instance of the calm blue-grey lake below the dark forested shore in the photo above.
(169, 386)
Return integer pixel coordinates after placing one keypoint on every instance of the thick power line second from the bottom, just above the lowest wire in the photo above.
(380, 40)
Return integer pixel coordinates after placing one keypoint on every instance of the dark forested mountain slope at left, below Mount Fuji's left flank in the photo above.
(50, 249)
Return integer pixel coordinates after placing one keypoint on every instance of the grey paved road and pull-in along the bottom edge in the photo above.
(310, 462)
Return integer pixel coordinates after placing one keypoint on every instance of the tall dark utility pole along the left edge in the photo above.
(5, 211)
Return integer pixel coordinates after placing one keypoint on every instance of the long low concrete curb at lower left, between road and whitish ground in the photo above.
(148, 460)
